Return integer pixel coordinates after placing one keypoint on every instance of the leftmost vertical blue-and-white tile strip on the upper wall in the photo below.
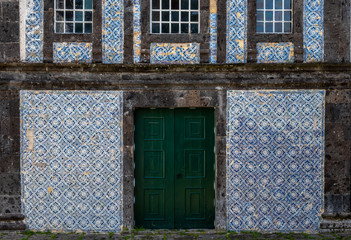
(34, 31)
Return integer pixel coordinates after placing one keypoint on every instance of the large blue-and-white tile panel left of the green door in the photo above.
(71, 160)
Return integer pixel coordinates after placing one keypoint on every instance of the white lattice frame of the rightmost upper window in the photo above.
(274, 21)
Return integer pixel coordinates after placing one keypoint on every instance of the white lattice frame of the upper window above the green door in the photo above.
(179, 22)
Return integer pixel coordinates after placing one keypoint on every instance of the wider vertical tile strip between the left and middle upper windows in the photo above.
(112, 31)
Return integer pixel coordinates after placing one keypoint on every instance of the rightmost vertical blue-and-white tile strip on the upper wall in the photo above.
(313, 30)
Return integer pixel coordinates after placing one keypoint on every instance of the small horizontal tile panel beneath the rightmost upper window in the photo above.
(275, 52)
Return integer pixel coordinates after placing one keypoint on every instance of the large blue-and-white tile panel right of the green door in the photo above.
(275, 159)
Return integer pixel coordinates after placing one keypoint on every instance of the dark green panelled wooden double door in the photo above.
(174, 168)
